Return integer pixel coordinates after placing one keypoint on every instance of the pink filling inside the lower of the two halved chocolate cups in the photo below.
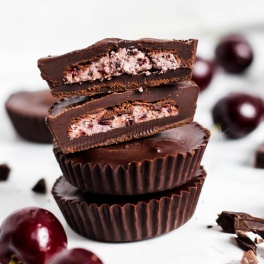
(95, 123)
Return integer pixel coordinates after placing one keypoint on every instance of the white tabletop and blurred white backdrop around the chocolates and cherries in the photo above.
(33, 29)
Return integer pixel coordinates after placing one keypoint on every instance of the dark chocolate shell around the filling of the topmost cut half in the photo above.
(52, 68)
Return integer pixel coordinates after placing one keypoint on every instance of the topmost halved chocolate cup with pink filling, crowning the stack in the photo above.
(114, 65)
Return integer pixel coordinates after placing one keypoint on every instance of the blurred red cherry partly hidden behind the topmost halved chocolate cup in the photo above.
(203, 72)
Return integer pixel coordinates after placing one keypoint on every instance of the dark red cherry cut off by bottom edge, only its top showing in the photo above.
(75, 256)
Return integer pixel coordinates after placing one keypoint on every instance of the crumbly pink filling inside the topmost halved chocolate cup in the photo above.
(129, 61)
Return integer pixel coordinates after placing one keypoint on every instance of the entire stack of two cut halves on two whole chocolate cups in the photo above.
(124, 137)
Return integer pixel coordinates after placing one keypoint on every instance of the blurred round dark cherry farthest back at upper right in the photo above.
(234, 54)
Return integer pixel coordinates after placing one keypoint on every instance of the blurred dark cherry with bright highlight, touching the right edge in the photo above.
(238, 114)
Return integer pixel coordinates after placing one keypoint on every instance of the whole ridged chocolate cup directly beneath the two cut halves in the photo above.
(148, 165)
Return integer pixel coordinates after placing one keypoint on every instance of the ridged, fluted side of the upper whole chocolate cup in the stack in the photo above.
(146, 176)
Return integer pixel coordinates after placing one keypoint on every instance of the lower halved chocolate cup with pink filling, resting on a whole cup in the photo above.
(81, 123)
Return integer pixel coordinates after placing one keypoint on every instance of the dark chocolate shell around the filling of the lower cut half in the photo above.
(184, 94)
